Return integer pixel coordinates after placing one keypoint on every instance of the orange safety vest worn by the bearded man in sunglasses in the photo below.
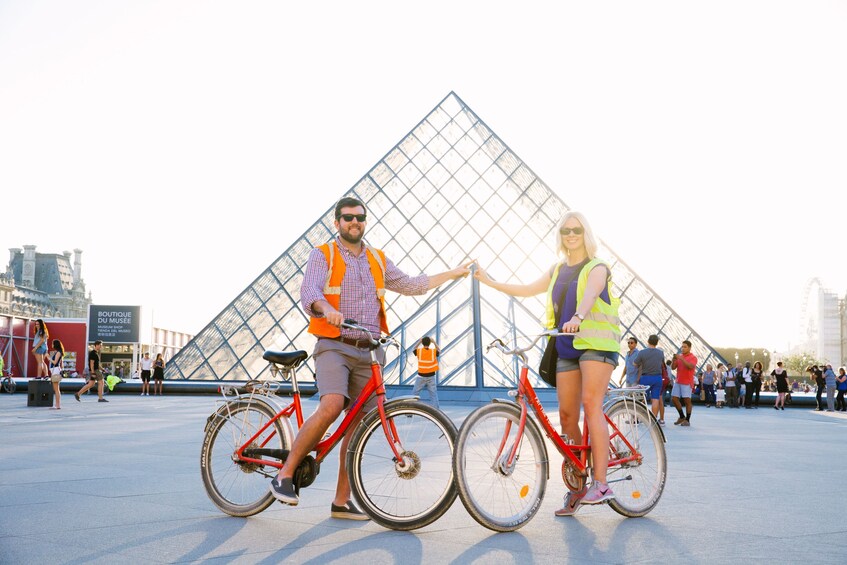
(332, 288)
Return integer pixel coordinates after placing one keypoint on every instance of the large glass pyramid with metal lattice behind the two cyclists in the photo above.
(449, 191)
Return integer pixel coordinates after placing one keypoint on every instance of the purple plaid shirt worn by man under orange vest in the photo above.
(358, 289)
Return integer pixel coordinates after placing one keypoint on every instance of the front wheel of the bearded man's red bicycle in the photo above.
(397, 499)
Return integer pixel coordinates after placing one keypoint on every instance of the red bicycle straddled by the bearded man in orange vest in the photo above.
(398, 461)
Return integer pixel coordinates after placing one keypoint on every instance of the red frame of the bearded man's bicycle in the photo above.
(375, 385)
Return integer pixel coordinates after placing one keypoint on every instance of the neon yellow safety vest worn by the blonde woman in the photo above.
(601, 328)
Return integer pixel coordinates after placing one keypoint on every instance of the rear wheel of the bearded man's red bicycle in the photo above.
(237, 488)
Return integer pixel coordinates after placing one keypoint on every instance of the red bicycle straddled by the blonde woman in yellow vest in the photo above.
(501, 463)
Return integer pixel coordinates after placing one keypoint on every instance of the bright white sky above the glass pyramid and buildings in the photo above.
(183, 146)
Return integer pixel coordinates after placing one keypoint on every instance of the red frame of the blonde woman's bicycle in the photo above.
(577, 454)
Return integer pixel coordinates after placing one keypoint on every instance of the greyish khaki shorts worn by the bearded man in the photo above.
(343, 369)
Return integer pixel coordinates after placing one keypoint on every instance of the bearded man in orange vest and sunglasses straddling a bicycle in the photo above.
(345, 279)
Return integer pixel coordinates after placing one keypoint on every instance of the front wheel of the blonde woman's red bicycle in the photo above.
(500, 499)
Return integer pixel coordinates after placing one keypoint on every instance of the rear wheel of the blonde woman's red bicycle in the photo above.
(638, 485)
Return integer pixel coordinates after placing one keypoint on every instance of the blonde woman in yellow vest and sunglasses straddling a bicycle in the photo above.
(579, 299)
